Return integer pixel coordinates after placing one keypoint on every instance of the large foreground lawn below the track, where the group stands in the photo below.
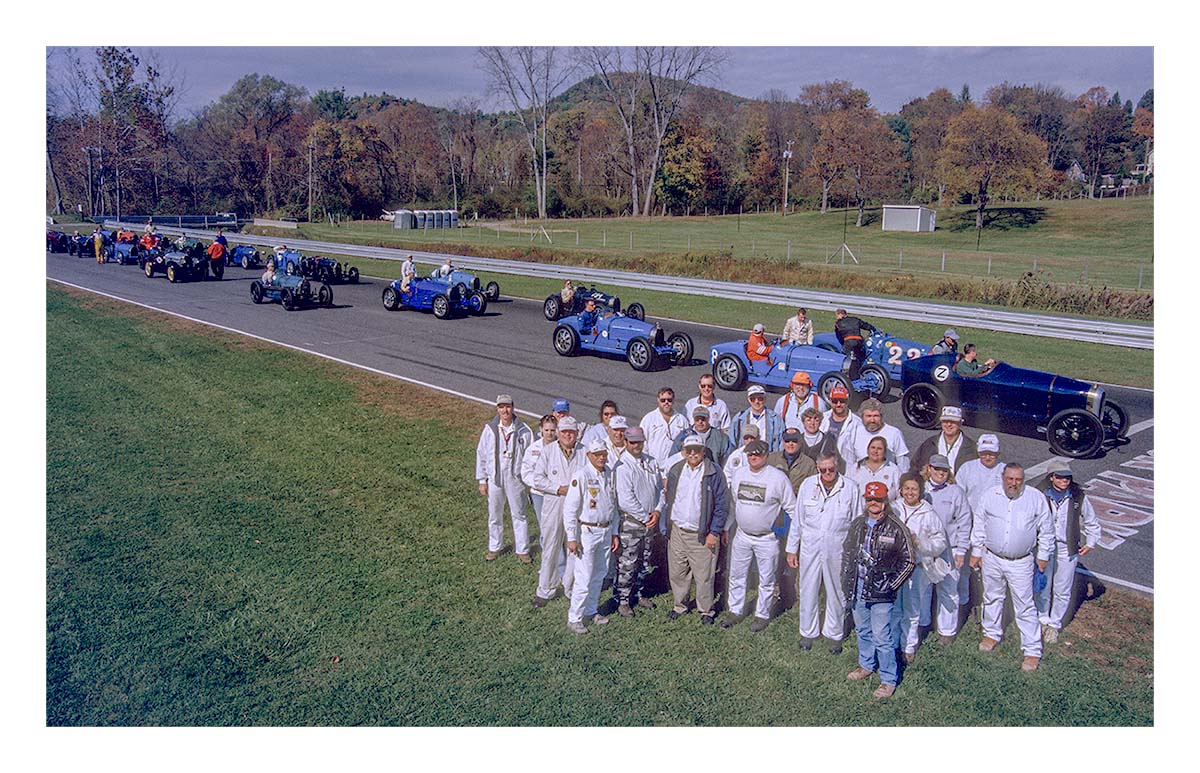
(239, 535)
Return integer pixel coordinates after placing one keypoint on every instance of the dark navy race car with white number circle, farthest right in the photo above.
(1076, 417)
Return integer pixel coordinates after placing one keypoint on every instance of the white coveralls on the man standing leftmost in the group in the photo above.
(499, 458)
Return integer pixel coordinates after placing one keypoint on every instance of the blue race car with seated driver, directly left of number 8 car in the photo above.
(640, 343)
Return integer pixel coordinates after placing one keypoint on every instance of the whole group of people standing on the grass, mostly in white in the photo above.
(817, 498)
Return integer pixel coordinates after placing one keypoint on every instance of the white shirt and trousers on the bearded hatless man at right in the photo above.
(1006, 534)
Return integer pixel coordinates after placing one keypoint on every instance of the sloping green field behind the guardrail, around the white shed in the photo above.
(1099, 243)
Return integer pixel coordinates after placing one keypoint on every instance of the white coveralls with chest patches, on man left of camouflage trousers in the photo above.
(591, 519)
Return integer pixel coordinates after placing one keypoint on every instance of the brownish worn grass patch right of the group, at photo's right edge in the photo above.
(1117, 633)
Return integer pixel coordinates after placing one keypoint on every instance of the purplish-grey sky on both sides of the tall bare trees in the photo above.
(440, 76)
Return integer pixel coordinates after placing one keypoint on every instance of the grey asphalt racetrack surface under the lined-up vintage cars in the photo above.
(509, 351)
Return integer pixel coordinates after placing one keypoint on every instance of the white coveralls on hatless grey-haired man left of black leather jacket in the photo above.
(818, 534)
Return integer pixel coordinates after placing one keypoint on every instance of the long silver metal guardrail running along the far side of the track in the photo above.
(1025, 323)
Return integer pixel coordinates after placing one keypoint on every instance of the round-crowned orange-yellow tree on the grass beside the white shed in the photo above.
(987, 148)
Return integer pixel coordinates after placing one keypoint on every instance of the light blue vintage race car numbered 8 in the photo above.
(827, 369)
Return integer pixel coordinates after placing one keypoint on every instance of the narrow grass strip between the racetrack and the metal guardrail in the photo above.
(1091, 362)
